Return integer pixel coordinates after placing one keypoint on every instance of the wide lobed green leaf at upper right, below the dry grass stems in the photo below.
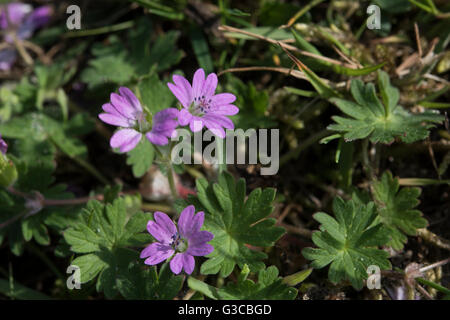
(369, 118)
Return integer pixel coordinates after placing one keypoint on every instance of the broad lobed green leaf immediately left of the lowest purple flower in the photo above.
(102, 236)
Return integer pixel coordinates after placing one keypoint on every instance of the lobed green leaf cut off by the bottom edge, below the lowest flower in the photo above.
(269, 287)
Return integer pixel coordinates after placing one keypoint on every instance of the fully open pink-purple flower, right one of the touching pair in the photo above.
(201, 106)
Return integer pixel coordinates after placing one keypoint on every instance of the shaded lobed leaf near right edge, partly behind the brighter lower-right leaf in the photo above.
(396, 209)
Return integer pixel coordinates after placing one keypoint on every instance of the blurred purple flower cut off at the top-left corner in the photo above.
(19, 20)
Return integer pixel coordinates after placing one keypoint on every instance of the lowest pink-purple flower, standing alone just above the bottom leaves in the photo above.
(185, 240)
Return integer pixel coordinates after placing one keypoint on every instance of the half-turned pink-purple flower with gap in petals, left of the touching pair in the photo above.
(125, 111)
